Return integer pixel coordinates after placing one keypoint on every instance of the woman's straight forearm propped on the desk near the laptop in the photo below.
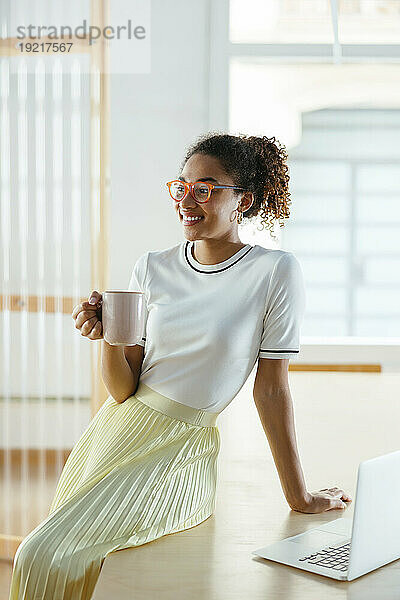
(276, 415)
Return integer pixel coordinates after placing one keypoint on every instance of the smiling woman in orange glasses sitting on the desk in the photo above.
(146, 466)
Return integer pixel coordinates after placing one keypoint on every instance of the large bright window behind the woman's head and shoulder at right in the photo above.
(324, 78)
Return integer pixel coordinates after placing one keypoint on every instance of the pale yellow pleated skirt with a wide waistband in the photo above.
(144, 468)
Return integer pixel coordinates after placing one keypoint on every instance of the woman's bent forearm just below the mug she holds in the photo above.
(117, 375)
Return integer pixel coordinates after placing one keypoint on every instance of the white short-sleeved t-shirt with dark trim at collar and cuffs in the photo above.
(206, 325)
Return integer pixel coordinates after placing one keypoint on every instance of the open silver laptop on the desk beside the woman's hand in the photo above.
(347, 548)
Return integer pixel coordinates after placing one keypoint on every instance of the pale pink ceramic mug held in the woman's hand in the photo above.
(123, 317)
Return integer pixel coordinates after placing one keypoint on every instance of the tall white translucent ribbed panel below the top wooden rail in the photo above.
(45, 252)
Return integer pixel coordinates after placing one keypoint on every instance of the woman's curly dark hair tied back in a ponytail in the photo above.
(257, 164)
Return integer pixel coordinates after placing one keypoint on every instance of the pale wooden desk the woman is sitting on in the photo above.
(341, 420)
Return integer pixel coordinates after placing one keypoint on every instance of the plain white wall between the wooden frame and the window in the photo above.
(152, 122)
